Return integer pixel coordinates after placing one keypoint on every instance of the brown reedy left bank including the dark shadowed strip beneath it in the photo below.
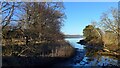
(36, 55)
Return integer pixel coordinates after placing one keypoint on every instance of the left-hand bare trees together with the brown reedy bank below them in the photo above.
(36, 26)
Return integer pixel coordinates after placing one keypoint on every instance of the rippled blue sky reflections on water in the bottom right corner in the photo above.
(101, 61)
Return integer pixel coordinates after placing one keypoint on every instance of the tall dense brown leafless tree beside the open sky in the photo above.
(44, 19)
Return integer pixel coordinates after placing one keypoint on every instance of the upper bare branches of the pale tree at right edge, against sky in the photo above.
(109, 21)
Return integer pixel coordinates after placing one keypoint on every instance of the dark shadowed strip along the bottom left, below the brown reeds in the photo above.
(23, 62)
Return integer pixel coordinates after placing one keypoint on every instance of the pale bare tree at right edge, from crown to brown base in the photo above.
(110, 23)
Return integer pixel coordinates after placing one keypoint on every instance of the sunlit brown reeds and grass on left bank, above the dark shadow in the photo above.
(54, 49)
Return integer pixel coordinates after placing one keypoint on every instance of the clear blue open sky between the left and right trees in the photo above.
(80, 14)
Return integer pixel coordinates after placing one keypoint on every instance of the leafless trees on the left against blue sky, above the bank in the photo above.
(39, 21)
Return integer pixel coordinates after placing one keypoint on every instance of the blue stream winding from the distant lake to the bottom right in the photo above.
(81, 59)
